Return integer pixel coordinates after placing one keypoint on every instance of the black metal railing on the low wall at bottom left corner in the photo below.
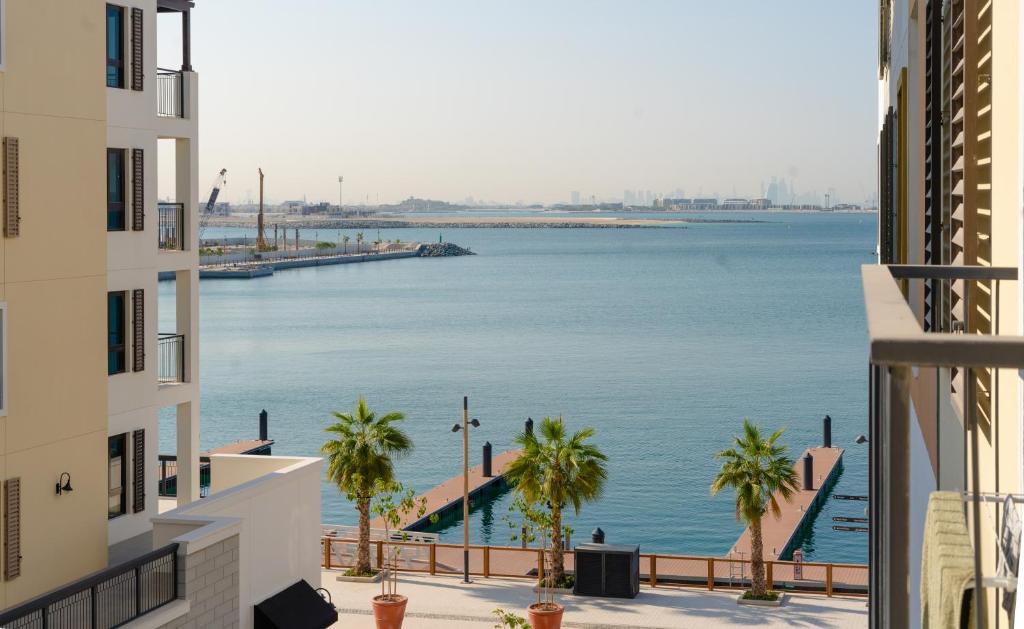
(109, 599)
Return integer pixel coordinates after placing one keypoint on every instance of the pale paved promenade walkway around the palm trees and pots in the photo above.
(446, 602)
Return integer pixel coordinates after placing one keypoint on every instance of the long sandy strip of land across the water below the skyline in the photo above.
(383, 223)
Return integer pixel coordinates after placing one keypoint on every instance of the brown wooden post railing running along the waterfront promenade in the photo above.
(656, 570)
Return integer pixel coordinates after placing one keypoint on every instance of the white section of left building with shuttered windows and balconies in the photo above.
(135, 261)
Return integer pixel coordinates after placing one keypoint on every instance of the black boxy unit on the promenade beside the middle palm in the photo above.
(608, 570)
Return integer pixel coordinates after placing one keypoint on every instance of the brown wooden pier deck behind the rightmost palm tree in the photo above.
(781, 535)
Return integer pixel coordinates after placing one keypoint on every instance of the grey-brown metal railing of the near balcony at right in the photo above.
(899, 346)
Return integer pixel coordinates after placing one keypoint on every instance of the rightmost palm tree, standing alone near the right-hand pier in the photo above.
(760, 473)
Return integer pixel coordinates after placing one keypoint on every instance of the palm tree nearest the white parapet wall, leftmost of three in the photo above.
(361, 454)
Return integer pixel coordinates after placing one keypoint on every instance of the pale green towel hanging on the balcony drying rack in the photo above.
(947, 563)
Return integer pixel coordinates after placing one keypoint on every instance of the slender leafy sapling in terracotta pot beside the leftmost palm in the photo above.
(393, 504)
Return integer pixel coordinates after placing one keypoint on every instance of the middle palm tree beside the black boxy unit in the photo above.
(559, 471)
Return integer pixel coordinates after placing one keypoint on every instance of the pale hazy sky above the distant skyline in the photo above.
(528, 101)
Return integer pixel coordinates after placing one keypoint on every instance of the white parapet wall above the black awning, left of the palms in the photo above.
(276, 505)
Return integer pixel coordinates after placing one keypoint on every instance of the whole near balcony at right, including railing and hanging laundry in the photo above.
(934, 426)
